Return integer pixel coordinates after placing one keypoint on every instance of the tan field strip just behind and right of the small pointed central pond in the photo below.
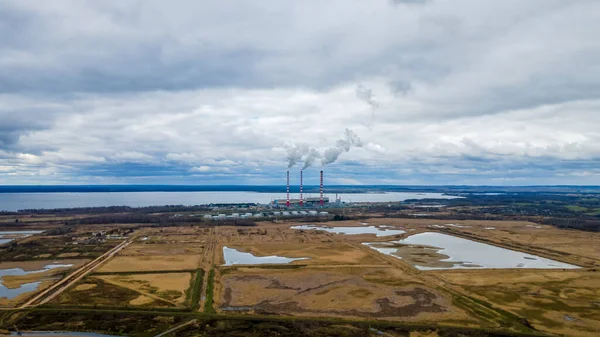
(337, 253)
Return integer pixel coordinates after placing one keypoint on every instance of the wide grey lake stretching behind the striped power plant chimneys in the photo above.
(19, 201)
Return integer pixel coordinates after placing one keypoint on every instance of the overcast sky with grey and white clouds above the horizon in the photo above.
(440, 92)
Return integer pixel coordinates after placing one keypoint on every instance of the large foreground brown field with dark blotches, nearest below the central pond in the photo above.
(359, 292)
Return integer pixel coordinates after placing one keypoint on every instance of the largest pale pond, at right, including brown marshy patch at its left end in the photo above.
(430, 251)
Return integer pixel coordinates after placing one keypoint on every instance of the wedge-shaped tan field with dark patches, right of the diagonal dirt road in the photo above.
(168, 286)
